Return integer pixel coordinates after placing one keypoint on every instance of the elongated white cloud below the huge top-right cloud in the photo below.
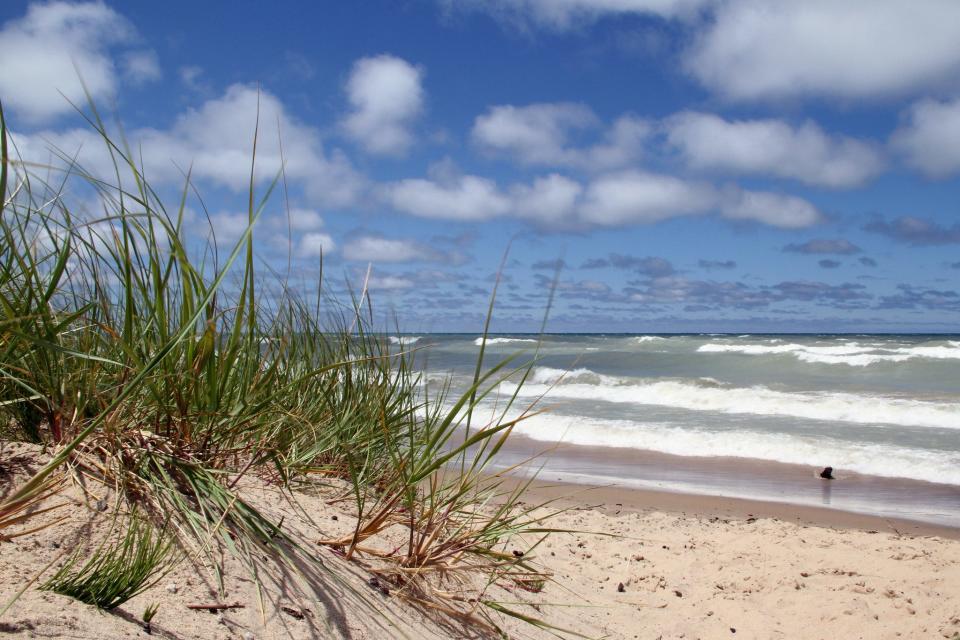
(772, 147)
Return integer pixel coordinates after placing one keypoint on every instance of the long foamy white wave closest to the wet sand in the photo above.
(866, 458)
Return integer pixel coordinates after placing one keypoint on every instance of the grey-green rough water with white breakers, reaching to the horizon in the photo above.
(875, 405)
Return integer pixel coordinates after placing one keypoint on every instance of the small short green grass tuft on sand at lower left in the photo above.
(118, 570)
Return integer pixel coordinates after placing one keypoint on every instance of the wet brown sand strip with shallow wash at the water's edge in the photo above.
(723, 486)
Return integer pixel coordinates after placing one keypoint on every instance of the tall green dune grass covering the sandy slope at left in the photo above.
(167, 373)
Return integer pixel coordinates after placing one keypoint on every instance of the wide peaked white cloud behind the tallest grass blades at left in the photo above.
(216, 140)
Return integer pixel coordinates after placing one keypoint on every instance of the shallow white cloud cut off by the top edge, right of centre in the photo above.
(566, 14)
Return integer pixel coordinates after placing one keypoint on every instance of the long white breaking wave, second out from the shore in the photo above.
(707, 395)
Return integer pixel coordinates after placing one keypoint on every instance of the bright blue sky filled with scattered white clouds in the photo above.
(662, 165)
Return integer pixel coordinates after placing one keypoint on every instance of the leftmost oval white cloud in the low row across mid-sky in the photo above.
(461, 198)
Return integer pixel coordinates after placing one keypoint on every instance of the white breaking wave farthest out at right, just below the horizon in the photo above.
(851, 354)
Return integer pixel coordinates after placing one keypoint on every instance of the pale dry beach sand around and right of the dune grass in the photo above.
(689, 566)
